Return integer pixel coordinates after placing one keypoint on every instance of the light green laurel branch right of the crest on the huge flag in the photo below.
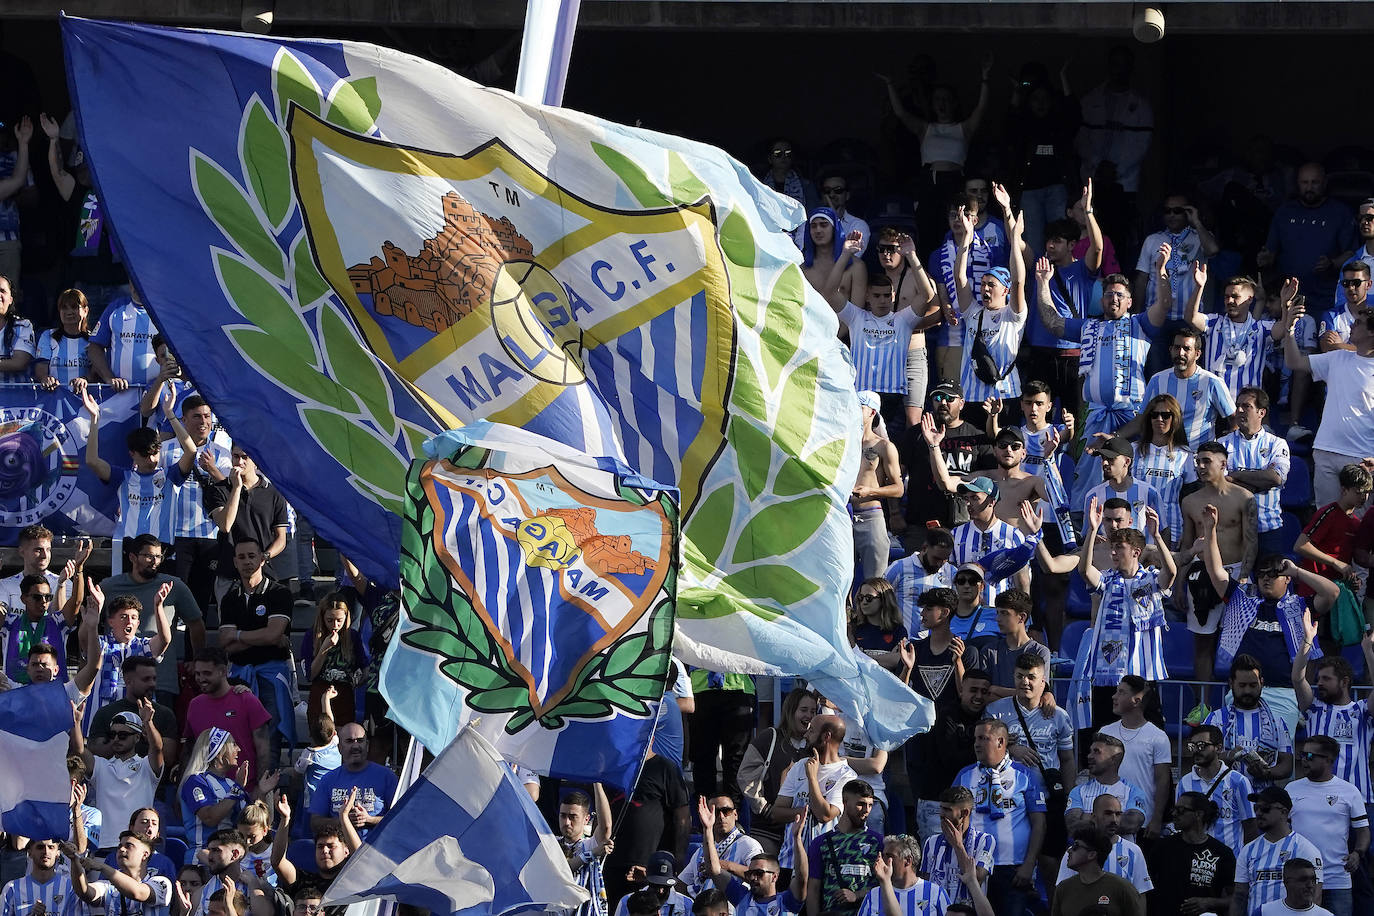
(744, 546)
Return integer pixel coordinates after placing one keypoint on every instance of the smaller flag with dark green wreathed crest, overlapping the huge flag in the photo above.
(538, 602)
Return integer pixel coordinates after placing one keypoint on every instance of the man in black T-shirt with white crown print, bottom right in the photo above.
(1197, 870)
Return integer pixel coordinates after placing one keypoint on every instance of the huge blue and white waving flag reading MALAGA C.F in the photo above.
(352, 251)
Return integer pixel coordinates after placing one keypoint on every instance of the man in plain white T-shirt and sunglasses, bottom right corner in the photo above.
(1331, 812)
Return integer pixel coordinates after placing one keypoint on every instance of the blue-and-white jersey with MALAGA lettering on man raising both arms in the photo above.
(1129, 637)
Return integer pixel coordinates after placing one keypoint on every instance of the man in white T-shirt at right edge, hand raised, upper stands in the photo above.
(1346, 435)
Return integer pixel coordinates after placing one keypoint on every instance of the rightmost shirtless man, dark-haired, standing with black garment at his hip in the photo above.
(1239, 539)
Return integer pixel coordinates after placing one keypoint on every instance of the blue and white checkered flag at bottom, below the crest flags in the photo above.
(465, 840)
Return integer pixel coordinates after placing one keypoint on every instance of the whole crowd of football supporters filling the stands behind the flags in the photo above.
(1180, 457)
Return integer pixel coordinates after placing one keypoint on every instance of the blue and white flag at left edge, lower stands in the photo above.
(35, 794)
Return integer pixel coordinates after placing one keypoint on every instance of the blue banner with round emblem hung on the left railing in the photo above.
(43, 474)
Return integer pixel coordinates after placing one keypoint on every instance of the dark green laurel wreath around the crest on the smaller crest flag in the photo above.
(627, 678)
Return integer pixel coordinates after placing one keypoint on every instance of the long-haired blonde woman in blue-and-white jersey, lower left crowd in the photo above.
(212, 786)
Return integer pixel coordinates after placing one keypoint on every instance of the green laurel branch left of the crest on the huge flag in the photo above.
(293, 330)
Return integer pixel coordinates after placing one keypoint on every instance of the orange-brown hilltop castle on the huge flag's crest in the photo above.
(450, 277)
